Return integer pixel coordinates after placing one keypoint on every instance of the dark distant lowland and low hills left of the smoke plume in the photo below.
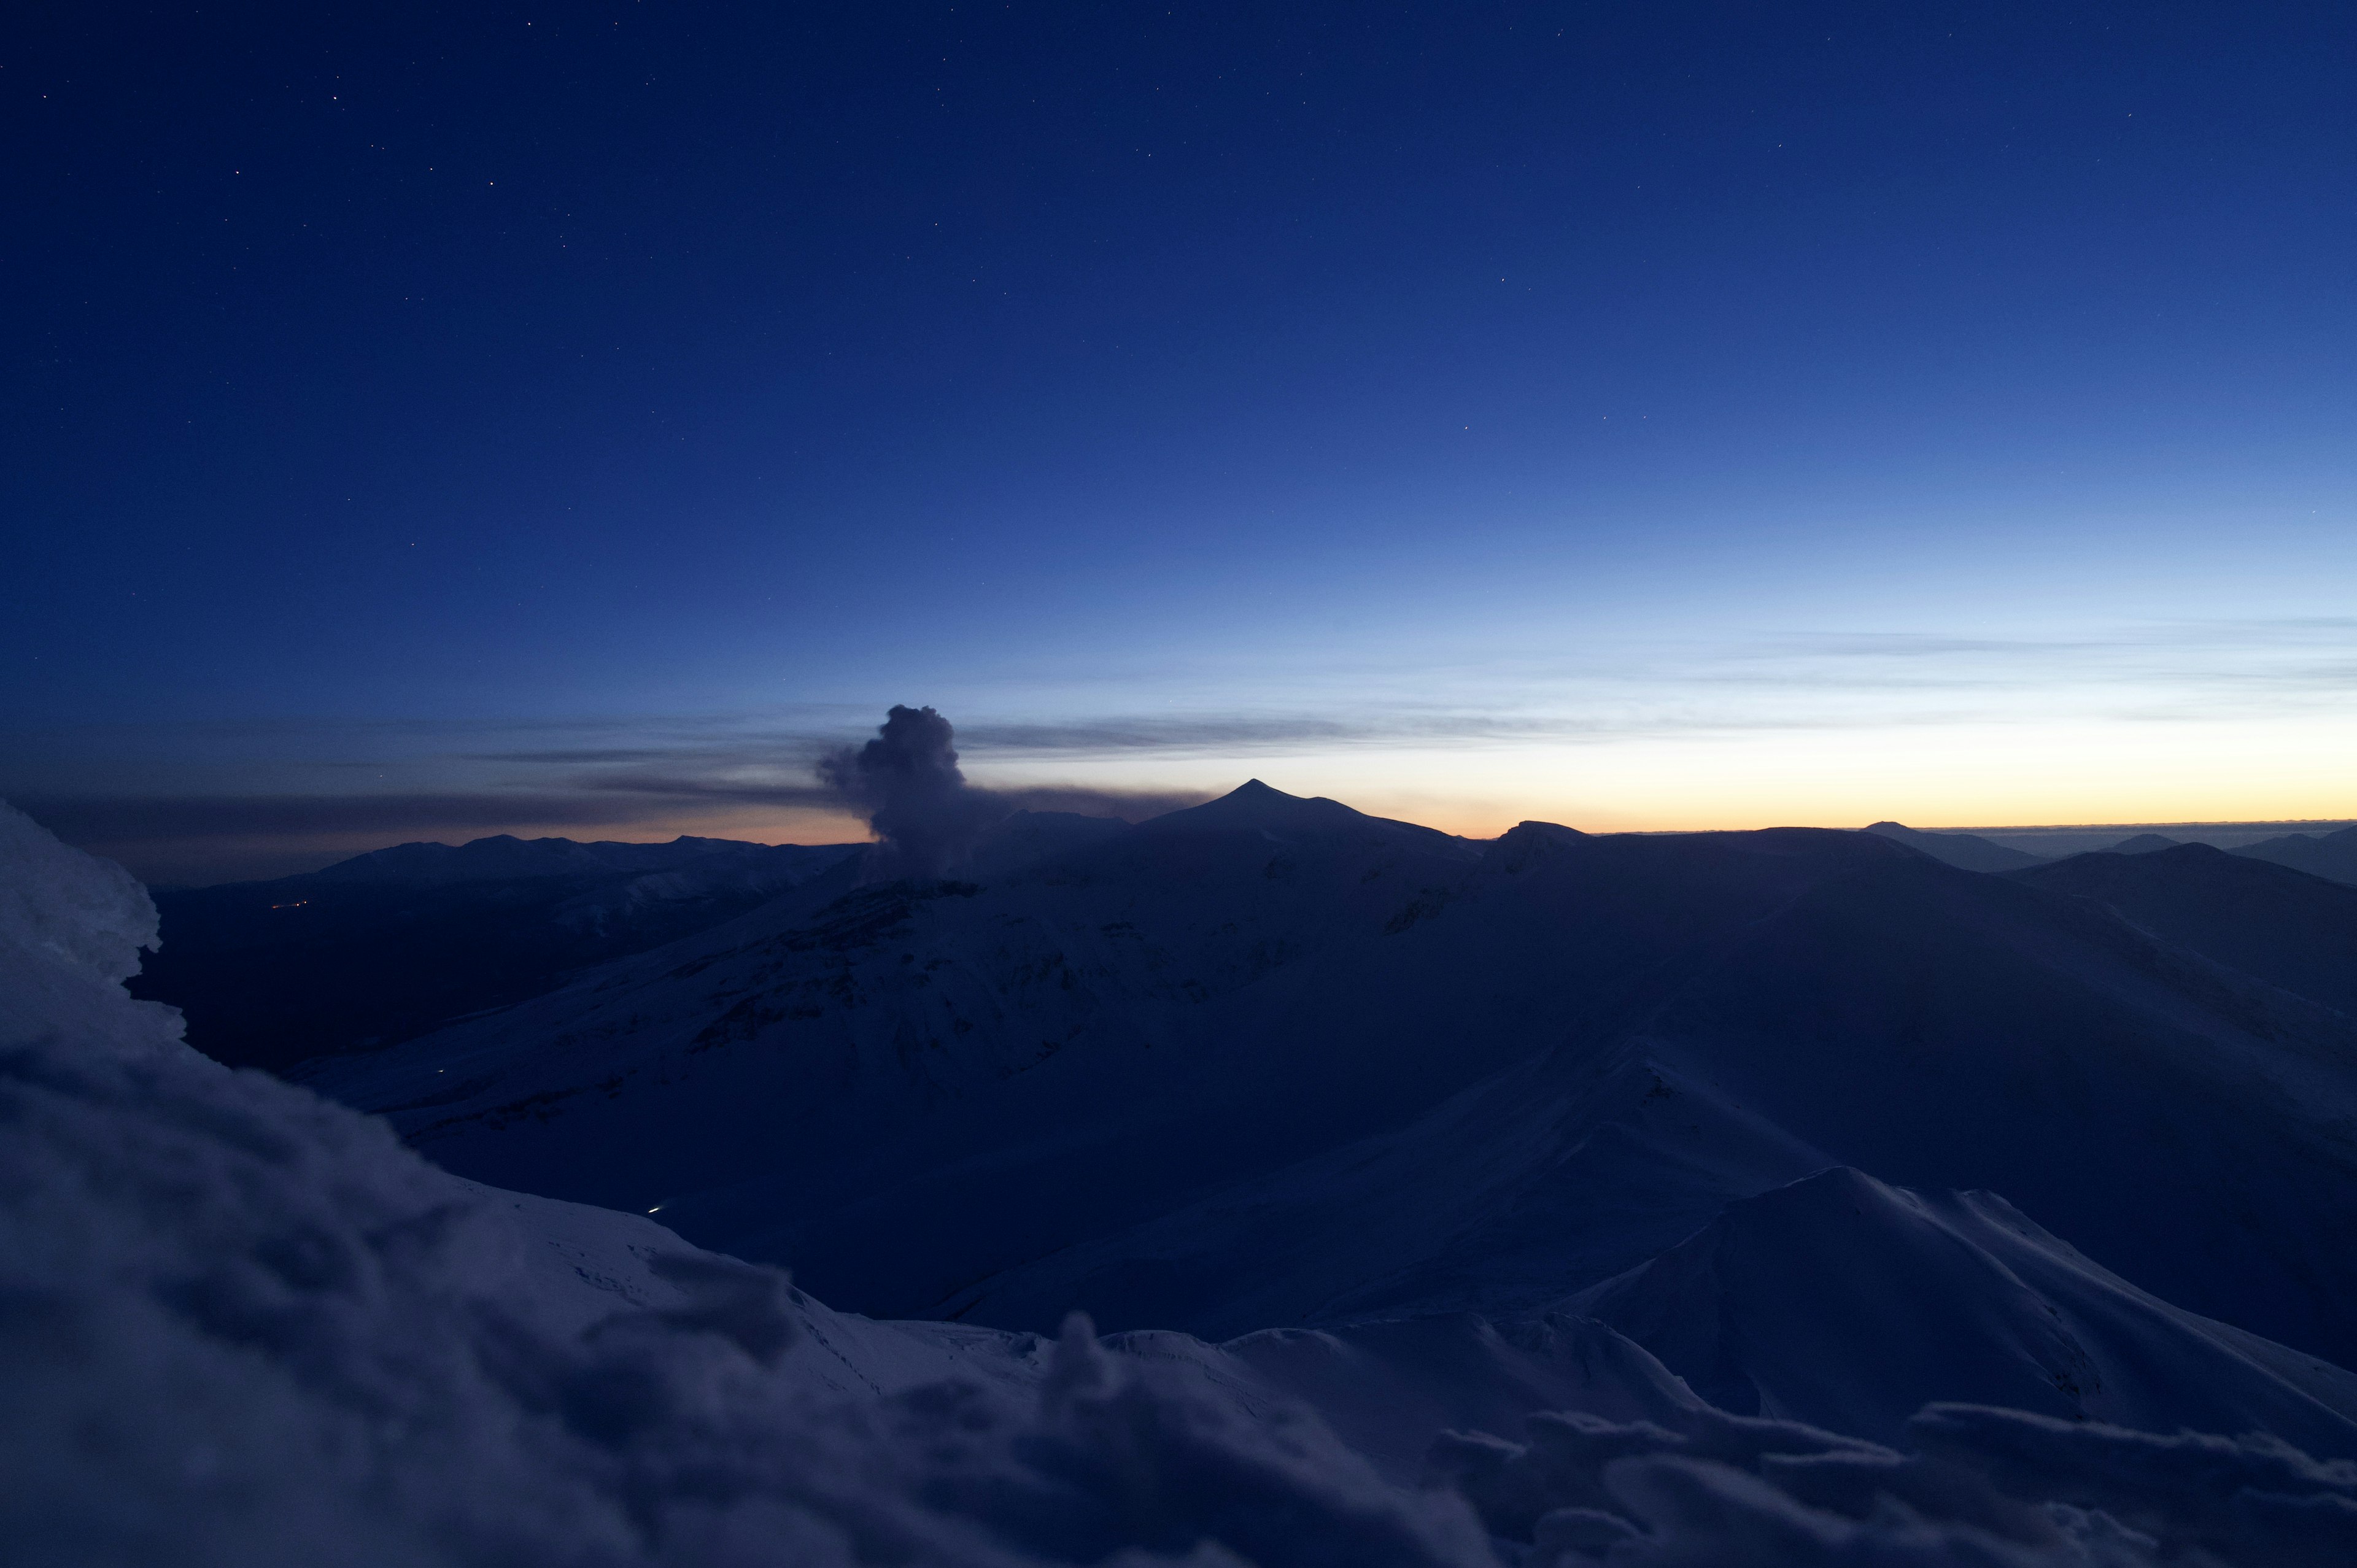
(397, 942)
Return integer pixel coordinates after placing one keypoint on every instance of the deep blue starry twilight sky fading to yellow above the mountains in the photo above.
(454, 421)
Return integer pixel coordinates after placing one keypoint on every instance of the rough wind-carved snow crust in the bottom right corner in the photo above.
(1983, 1489)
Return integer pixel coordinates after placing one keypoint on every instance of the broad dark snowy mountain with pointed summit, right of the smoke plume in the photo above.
(1279, 1062)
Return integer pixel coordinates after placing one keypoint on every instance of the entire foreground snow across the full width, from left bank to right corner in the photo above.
(242, 1324)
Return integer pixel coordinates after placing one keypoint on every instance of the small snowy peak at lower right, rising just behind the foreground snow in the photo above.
(1849, 1305)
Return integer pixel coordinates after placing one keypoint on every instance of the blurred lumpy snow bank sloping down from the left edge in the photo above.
(242, 1324)
